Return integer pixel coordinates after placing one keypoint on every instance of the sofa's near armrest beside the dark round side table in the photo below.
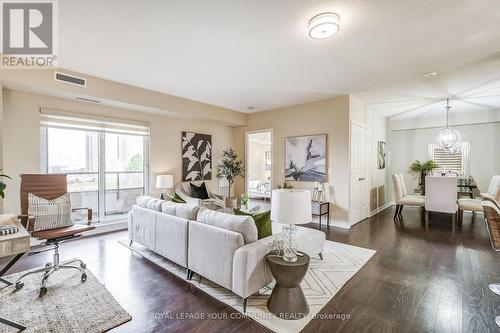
(250, 270)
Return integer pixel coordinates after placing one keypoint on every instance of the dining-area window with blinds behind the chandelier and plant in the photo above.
(456, 162)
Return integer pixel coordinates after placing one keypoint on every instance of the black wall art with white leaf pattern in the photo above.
(196, 156)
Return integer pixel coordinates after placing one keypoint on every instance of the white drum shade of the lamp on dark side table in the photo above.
(291, 206)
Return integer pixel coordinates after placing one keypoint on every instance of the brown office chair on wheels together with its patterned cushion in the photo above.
(44, 207)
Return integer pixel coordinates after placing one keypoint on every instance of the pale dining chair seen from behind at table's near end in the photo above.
(441, 196)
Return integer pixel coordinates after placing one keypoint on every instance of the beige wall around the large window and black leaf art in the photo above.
(21, 137)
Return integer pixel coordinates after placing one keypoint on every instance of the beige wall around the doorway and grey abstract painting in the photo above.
(329, 116)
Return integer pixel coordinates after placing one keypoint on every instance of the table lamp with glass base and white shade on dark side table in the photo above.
(290, 207)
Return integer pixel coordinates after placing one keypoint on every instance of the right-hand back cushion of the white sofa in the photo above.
(244, 225)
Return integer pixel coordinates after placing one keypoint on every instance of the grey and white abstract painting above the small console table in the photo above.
(305, 158)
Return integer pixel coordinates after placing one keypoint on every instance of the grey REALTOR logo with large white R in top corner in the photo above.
(28, 34)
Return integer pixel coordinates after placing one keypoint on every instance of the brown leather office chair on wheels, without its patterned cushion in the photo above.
(50, 187)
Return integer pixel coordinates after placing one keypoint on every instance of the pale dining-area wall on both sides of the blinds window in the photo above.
(408, 145)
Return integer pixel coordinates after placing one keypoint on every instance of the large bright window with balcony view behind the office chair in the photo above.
(107, 166)
